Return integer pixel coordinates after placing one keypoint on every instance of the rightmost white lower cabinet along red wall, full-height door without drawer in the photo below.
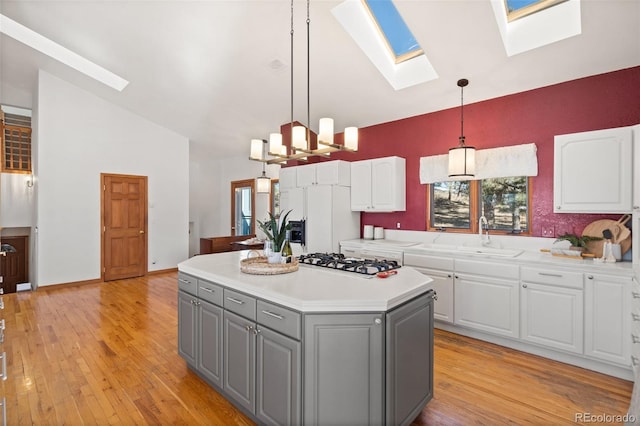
(608, 318)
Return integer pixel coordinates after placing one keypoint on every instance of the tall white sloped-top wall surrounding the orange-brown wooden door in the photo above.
(79, 137)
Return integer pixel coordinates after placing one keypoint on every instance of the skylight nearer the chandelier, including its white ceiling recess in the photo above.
(412, 68)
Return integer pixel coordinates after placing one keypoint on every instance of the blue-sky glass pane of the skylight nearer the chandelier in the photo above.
(392, 28)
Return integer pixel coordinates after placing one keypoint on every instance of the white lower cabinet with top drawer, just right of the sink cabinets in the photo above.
(551, 308)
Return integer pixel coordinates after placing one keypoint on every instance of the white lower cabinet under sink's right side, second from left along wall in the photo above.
(486, 297)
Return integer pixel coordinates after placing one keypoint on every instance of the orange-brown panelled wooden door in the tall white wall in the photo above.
(124, 217)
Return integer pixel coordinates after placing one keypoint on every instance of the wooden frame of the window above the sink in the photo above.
(474, 212)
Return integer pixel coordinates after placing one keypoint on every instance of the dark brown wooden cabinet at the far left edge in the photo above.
(14, 264)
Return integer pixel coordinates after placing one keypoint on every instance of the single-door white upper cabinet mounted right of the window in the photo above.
(593, 172)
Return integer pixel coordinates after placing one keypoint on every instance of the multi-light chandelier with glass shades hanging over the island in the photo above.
(277, 153)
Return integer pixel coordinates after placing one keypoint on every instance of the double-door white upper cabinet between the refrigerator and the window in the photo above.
(378, 185)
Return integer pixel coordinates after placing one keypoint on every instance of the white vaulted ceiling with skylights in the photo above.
(218, 71)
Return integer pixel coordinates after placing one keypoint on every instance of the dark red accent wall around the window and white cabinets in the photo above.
(592, 103)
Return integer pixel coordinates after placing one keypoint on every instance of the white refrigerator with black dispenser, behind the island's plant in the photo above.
(326, 210)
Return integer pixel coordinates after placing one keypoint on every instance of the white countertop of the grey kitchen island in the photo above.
(311, 288)
